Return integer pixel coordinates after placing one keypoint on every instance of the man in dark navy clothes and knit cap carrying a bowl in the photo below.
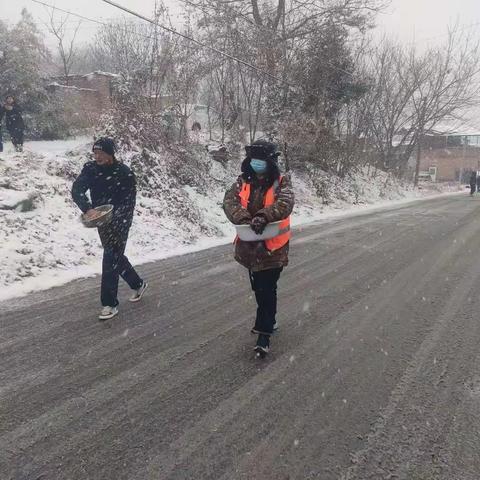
(110, 182)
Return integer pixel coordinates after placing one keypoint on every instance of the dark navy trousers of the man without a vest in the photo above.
(114, 265)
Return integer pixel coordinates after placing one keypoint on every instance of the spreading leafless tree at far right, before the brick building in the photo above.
(411, 92)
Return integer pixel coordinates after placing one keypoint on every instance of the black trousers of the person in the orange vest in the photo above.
(264, 284)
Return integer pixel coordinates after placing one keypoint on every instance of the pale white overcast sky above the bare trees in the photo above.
(409, 20)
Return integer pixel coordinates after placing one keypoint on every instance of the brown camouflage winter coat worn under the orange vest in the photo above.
(254, 255)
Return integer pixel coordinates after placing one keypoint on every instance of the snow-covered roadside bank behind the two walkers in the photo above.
(43, 243)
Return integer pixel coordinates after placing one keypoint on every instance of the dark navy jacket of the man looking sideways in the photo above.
(114, 184)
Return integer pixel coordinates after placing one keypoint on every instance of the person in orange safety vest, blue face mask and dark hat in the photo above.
(260, 196)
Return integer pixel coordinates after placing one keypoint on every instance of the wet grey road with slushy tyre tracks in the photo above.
(374, 374)
